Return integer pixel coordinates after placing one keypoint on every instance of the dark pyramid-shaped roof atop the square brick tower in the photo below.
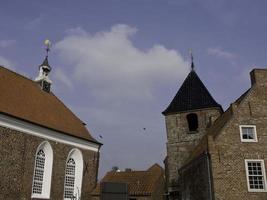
(192, 95)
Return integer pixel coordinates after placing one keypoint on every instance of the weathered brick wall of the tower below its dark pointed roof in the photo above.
(181, 142)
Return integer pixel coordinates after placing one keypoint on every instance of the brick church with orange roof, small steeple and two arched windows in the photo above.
(46, 152)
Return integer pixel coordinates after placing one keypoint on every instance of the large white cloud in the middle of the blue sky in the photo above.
(112, 66)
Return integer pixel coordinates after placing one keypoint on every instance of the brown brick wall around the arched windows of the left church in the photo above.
(17, 154)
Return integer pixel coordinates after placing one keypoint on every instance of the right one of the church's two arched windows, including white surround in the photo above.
(73, 175)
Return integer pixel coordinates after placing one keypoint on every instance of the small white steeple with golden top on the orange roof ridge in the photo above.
(44, 69)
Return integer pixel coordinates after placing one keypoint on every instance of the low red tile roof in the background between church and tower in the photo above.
(139, 182)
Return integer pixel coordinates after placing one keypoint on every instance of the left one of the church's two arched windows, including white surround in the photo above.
(42, 171)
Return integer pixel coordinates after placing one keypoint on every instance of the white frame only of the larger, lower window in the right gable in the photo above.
(263, 174)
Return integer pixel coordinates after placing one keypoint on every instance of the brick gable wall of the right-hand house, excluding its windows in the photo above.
(228, 153)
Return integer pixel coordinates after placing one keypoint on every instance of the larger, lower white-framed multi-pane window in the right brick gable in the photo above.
(256, 177)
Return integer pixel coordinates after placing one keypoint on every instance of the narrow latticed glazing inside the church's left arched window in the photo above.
(39, 173)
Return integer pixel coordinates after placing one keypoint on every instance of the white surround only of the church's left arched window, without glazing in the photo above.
(47, 176)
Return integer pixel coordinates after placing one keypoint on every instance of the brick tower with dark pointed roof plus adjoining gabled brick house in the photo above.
(214, 154)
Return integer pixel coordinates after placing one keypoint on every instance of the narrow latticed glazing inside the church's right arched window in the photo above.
(69, 179)
